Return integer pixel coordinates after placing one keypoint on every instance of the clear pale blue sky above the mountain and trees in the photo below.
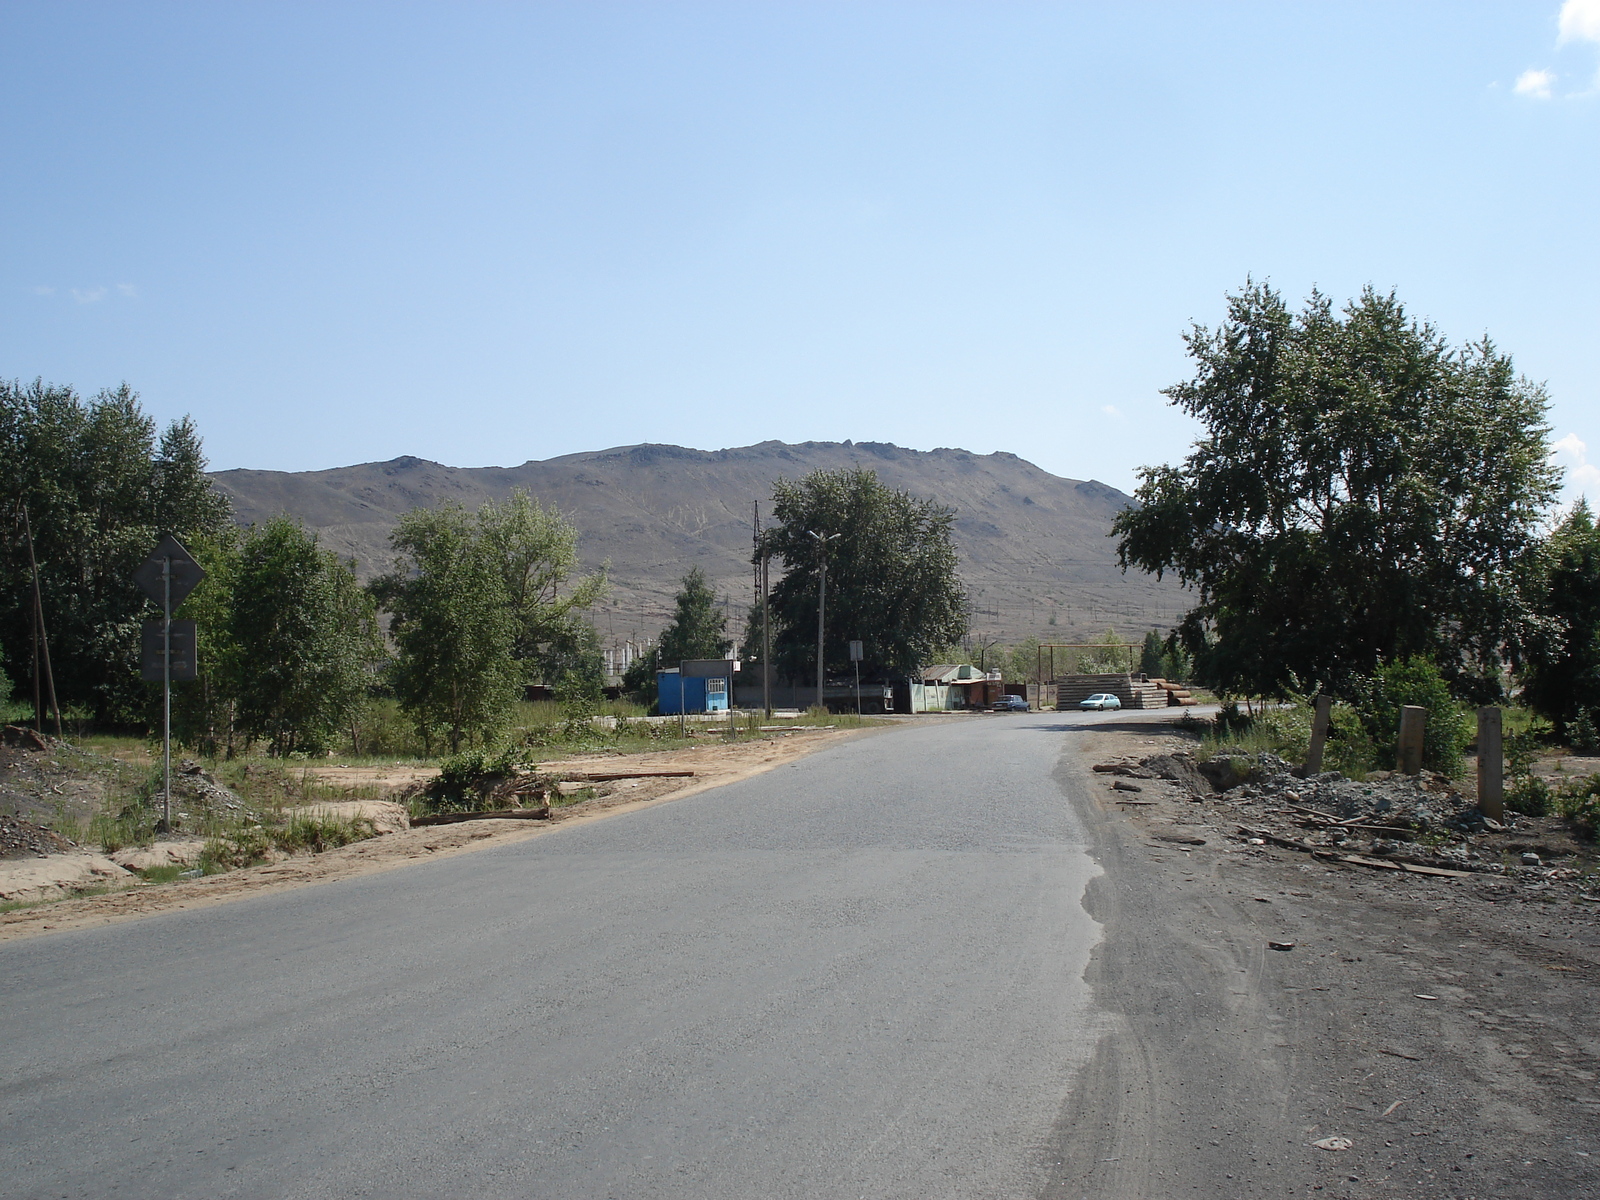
(490, 233)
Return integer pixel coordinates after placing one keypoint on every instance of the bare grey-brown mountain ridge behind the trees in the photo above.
(1033, 545)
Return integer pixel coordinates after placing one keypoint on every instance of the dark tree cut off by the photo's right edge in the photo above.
(1561, 657)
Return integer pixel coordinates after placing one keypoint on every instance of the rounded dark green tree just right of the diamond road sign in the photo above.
(305, 638)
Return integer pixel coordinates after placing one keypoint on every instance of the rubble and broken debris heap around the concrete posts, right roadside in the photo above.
(1388, 822)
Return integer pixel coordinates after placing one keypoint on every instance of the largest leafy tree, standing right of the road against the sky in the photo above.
(1362, 494)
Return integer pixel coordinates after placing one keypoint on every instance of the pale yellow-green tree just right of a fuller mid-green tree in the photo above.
(535, 550)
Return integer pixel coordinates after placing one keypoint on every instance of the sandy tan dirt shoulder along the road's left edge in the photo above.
(714, 766)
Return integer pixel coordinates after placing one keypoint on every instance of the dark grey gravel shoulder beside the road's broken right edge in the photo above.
(1446, 1026)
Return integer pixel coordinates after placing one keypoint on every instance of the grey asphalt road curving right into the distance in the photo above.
(860, 975)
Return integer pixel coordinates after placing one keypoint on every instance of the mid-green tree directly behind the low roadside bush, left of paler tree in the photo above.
(454, 625)
